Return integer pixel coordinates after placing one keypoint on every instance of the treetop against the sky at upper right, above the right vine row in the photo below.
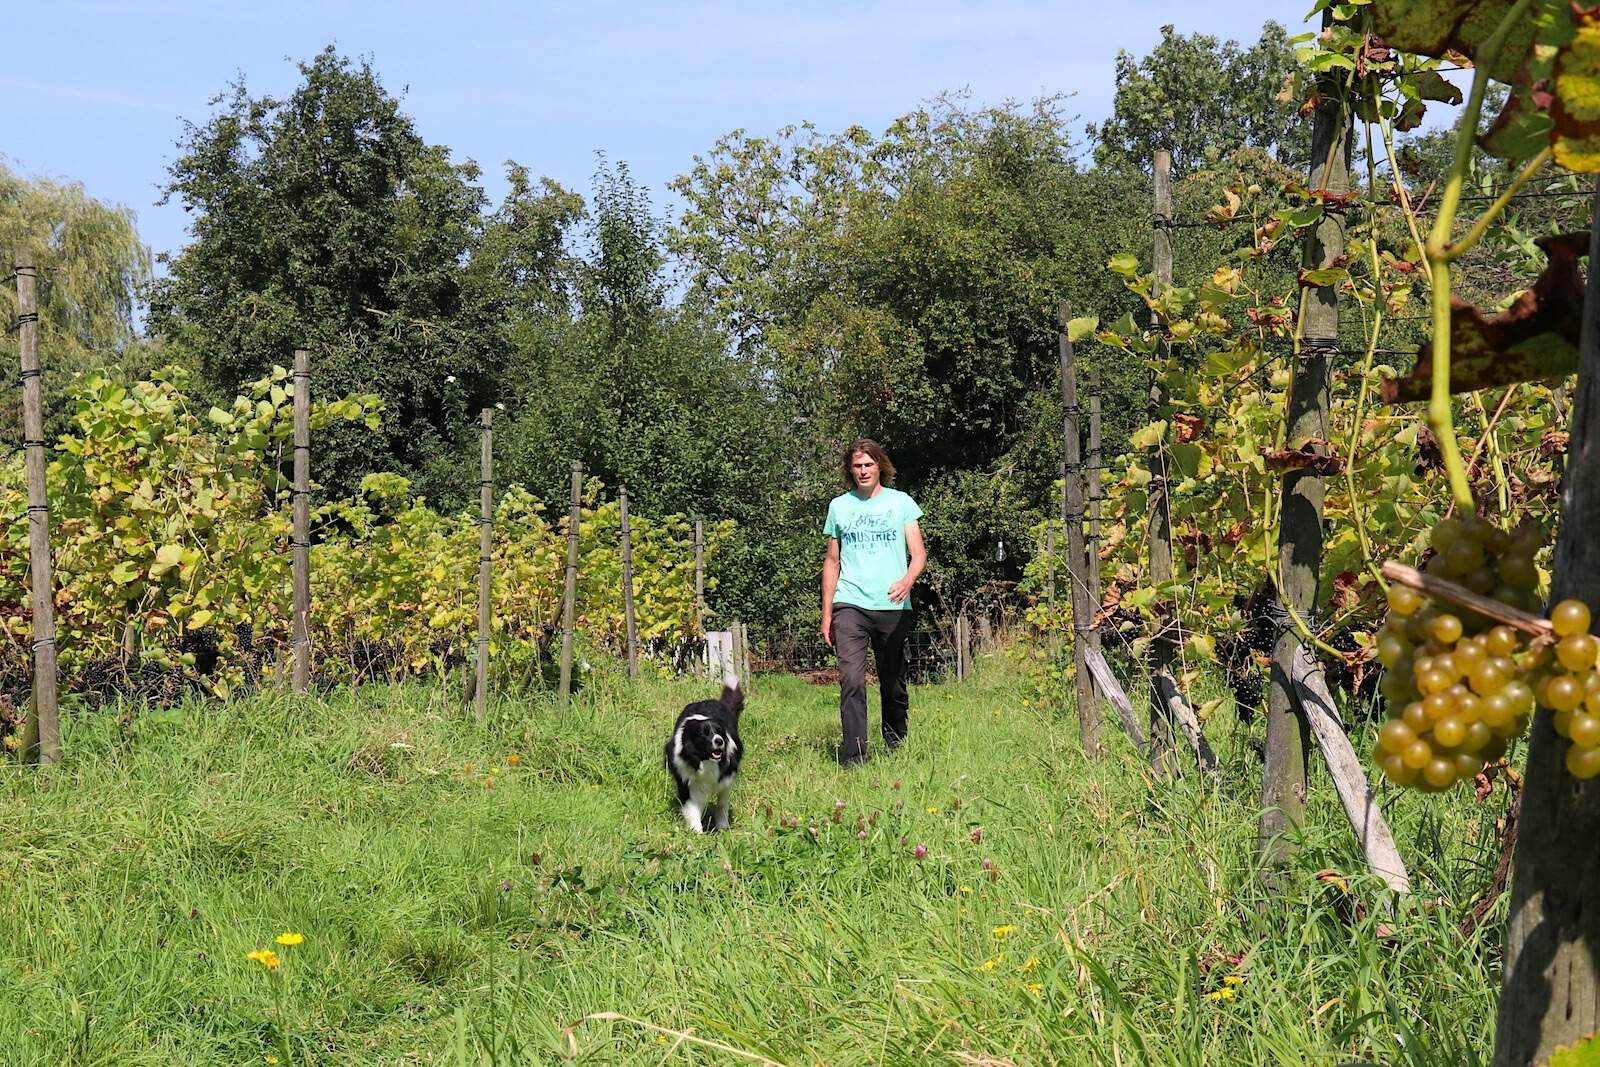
(1201, 98)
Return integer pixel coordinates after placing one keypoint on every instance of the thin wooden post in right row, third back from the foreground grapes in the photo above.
(1159, 530)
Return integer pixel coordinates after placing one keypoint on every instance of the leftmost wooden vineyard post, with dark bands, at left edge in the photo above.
(42, 733)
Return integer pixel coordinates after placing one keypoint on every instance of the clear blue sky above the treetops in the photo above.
(102, 90)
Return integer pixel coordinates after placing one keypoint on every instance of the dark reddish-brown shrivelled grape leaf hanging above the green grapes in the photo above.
(1534, 340)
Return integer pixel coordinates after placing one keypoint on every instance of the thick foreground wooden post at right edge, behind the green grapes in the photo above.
(1551, 989)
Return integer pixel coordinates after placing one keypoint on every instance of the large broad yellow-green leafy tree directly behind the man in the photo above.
(905, 287)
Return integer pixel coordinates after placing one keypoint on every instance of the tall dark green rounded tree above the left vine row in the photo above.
(326, 222)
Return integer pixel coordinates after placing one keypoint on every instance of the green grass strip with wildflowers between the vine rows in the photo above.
(455, 922)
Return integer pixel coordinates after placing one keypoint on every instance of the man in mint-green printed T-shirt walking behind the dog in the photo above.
(866, 593)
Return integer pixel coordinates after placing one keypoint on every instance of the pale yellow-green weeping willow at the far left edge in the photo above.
(92, 273)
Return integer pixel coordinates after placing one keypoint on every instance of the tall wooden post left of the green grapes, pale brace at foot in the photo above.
(1302, 497)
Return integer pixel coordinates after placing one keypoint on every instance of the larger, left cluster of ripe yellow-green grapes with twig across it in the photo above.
(1457, 684)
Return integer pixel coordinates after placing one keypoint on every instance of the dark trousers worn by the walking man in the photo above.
(857, 629)
